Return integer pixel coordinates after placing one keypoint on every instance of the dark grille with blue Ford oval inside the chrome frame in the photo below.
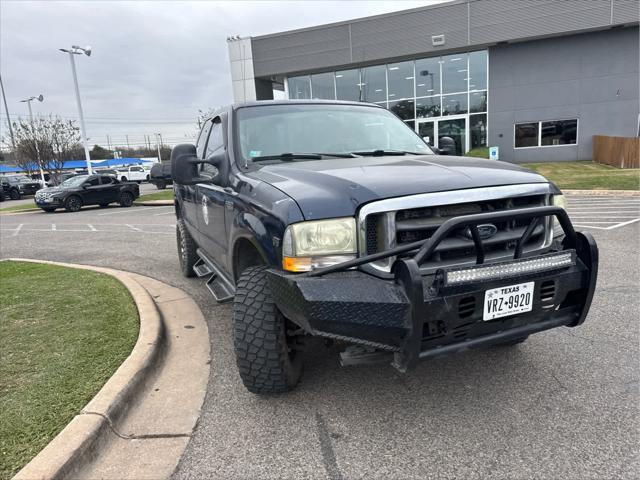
(389, 229)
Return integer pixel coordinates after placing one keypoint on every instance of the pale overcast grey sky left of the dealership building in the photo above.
(154, 64)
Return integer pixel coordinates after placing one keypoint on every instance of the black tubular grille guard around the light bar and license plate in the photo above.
(407, 271)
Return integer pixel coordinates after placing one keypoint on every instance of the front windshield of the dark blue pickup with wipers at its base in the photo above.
(324, 129)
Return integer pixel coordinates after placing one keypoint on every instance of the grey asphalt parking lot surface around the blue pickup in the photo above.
(564, 404)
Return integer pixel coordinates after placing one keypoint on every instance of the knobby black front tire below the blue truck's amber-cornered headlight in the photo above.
(266, 356)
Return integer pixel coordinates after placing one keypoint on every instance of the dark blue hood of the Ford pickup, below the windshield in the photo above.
(337, 187)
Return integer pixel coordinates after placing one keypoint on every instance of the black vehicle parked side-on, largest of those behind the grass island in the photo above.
(82, 190)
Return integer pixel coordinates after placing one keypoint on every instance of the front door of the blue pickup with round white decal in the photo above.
(211, 199)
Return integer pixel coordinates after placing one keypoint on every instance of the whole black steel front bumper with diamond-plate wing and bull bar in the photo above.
(390, 315)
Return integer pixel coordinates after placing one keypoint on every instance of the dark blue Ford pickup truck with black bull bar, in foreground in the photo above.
(335, 220)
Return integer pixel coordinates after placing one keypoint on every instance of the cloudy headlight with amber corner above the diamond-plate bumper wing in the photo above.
(316, 244)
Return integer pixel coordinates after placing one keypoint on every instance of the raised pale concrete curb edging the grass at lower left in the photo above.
(77, 443)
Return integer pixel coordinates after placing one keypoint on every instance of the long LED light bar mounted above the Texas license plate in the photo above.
(525, 266)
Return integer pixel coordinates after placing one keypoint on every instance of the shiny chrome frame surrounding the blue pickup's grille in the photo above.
(387, 209)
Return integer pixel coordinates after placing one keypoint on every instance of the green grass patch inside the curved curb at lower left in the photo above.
(64, 333)
